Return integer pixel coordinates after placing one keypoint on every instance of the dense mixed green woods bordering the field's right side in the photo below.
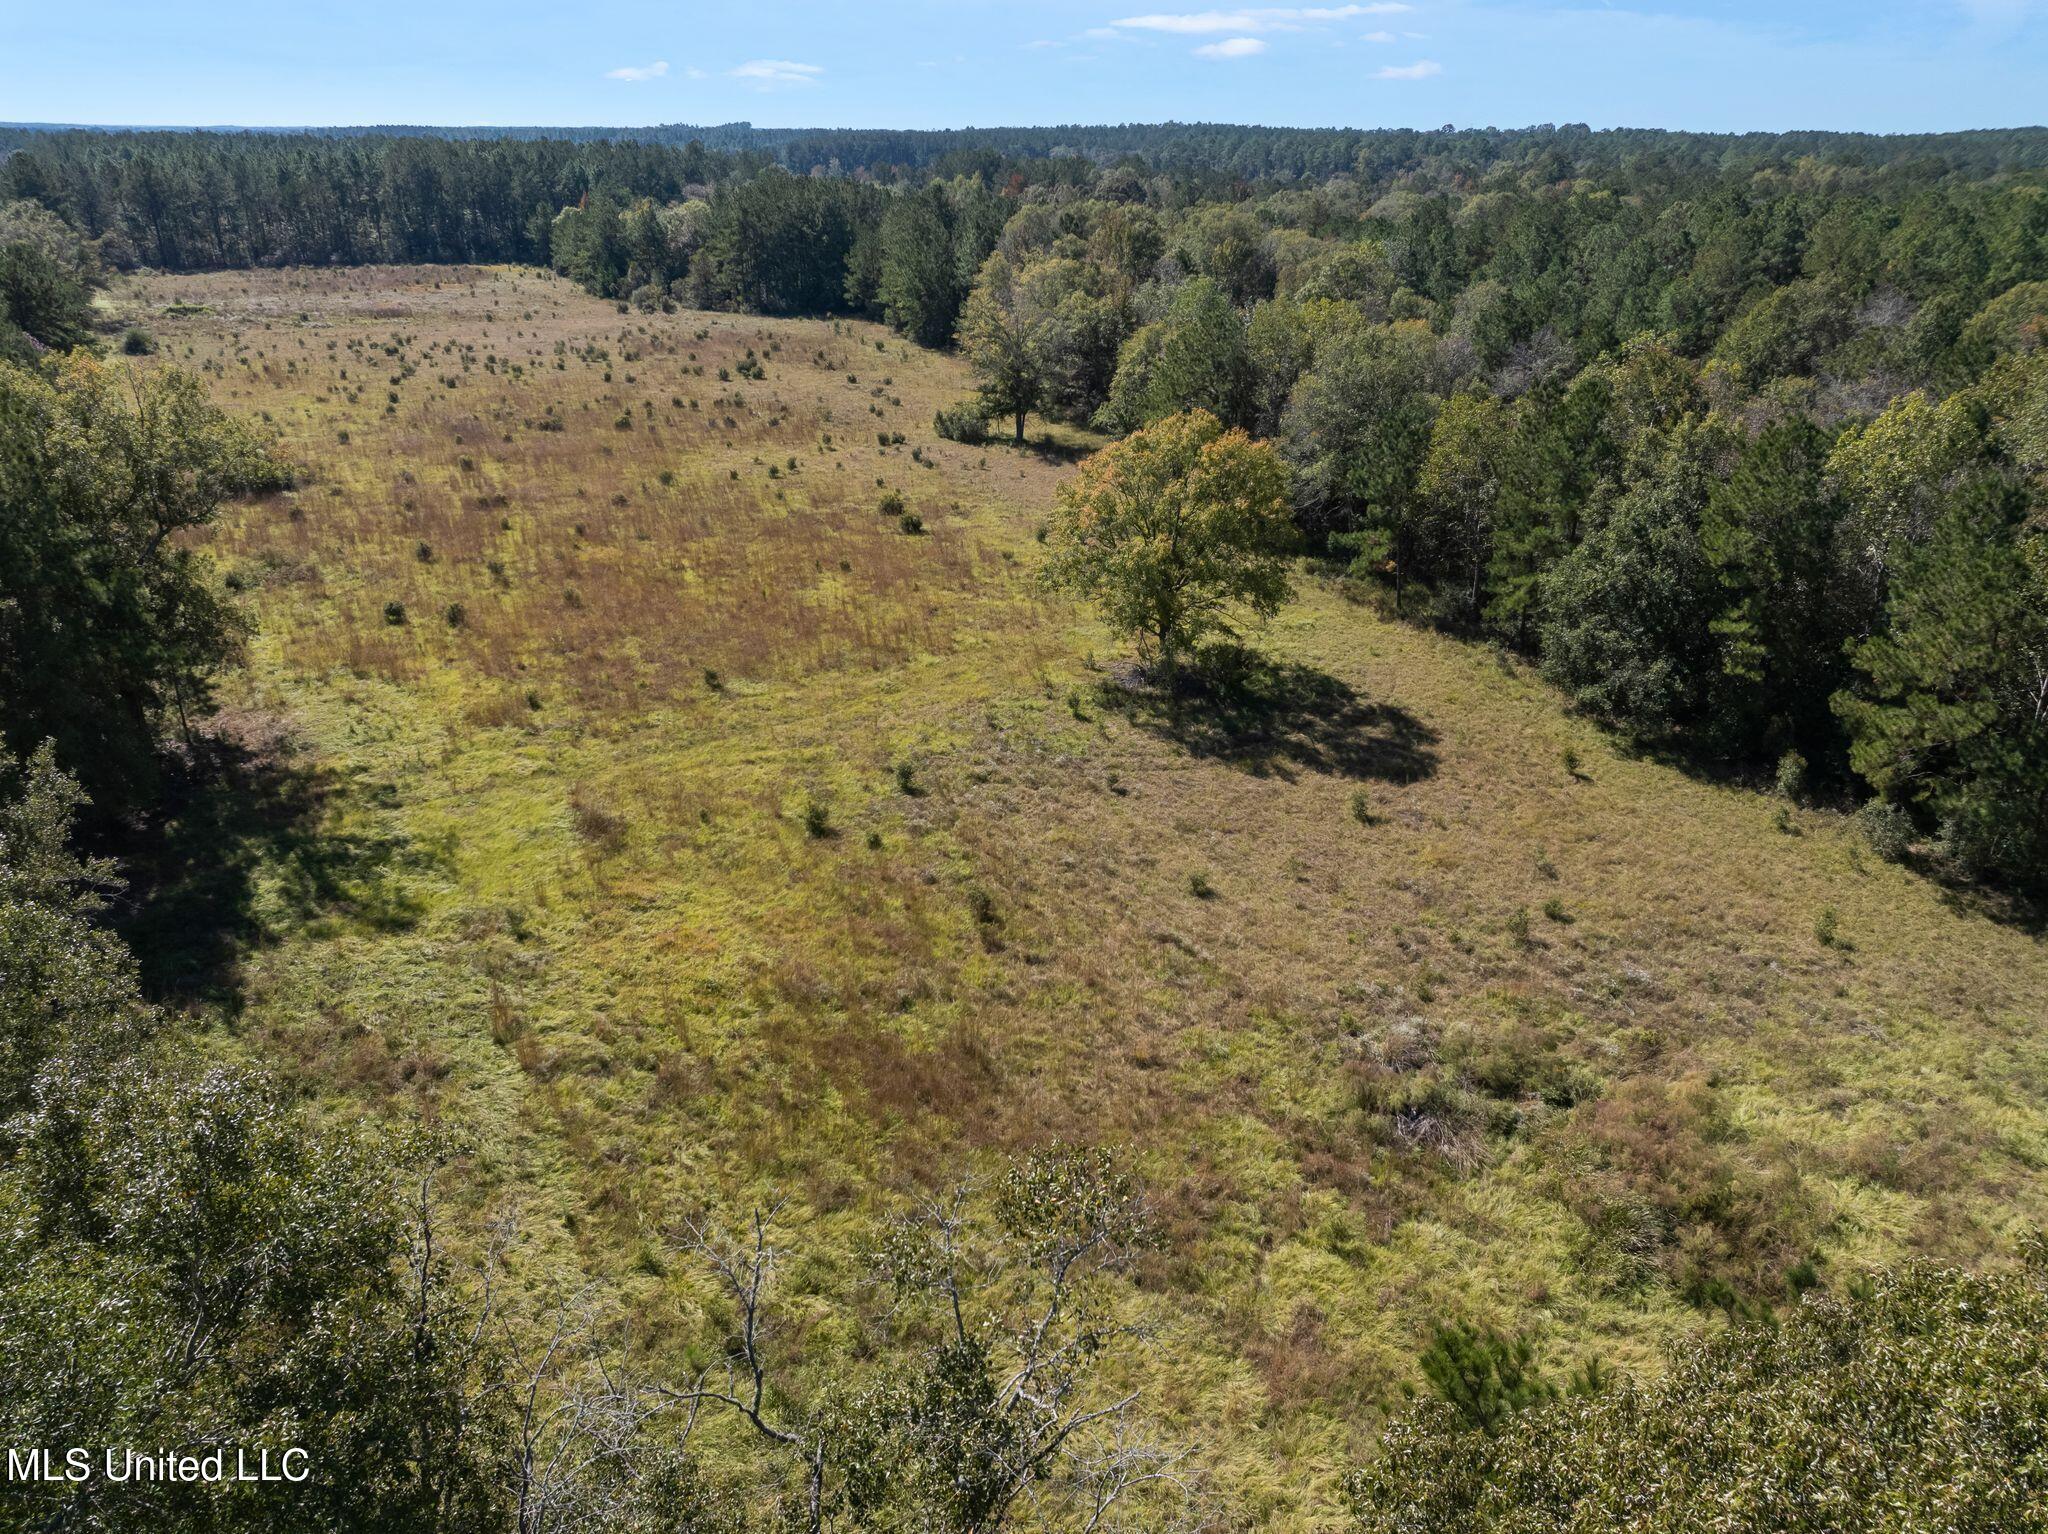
(1756, 476)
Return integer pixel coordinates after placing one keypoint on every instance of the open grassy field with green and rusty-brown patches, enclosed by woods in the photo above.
(620, 787)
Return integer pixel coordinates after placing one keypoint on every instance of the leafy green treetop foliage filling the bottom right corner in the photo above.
(1914, 1402)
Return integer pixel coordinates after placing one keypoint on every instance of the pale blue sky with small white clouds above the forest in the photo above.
(1871, 65)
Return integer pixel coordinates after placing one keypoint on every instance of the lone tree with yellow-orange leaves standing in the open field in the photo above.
(1175, 527)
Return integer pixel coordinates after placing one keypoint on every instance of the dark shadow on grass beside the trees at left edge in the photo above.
(245, 847)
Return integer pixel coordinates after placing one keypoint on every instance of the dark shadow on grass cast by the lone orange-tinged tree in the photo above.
(1277, 720)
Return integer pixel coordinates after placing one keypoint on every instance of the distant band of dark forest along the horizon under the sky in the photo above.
(222, 200)
